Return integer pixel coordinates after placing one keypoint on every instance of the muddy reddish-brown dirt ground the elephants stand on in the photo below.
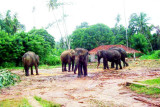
(101, 88)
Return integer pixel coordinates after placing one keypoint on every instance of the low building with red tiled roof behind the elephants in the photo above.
(106, 47)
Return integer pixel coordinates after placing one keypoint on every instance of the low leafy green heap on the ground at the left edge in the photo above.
(7, 78)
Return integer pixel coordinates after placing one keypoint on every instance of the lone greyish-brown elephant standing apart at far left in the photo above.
(30, 59)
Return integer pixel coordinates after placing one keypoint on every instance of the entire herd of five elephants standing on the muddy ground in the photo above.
(78, 59)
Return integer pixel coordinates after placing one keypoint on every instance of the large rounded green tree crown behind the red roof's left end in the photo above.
(92, 36)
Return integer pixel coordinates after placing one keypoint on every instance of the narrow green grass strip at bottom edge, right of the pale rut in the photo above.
(46, 103)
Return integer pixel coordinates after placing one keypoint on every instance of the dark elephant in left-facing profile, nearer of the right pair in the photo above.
(109, 55)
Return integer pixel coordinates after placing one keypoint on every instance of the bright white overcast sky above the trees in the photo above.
(91, 11)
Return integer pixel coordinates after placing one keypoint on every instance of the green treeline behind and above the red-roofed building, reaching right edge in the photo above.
(138, 36)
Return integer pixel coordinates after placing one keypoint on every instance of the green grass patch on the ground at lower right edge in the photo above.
(142, 89)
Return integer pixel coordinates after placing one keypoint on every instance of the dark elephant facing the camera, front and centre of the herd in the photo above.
(81, 60)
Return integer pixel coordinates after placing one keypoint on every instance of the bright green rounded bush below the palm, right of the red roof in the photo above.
(139, 42)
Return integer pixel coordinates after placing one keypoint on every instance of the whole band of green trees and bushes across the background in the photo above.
(14, 42)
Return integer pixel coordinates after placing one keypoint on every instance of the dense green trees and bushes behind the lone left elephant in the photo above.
(14, 42)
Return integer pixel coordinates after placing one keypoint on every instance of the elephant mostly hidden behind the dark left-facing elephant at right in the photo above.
(123, 55)
